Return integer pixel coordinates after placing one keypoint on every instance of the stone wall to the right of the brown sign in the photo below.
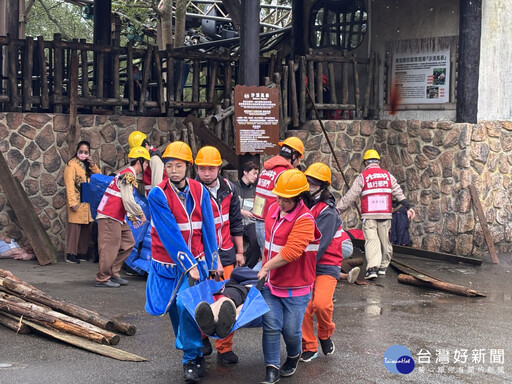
(435, 162)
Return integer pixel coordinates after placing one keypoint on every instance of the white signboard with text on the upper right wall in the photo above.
(422, 77)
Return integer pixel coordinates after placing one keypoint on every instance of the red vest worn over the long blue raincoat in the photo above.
(189, 225)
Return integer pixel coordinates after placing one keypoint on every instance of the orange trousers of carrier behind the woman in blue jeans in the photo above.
(320, 305)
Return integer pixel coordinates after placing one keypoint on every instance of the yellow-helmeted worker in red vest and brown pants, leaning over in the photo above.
(115, 239)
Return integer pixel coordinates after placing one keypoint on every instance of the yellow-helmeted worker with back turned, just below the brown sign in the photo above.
(292, 150)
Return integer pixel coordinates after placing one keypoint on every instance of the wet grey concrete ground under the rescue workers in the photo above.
(452, 339)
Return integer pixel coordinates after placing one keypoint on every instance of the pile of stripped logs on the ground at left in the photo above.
(24, 308)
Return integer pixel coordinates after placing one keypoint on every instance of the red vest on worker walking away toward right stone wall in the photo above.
(376, 193)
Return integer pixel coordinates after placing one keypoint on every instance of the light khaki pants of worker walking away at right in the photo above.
(377, 247)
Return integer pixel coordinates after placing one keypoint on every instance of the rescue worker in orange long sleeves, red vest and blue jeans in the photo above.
(291, 240)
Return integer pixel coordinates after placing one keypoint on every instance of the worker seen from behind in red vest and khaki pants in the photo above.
(376, 187)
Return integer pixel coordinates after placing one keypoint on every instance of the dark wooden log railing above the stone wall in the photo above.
(57, 76)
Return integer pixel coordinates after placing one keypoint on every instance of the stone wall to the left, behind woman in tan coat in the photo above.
(34, 146)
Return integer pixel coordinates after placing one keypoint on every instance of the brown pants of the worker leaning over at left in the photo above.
(115, 242)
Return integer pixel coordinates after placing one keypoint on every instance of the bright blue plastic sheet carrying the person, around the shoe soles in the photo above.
(253, 308)
